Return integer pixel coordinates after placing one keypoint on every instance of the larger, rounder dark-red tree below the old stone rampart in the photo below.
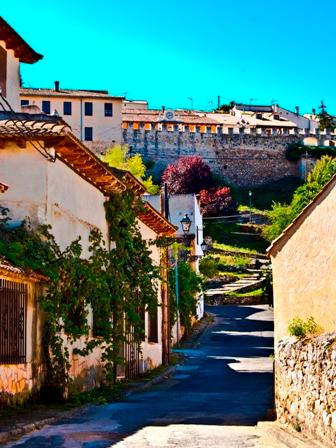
(188, 175)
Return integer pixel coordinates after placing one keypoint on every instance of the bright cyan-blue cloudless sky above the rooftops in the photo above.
(254, 51)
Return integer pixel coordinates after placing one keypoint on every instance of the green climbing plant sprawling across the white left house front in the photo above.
(119, 284)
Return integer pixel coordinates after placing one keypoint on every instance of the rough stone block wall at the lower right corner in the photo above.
(305, 385)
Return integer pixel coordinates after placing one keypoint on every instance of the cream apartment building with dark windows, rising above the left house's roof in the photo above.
(94, 116)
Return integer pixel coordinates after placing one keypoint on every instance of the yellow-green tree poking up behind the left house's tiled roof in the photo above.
(118, 157)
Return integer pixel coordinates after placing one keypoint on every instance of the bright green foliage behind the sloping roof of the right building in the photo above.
(282, 215)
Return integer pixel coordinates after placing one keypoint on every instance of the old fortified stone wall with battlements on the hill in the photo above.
(241, 157)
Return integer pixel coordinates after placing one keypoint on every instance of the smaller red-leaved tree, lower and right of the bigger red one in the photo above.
(217, 202)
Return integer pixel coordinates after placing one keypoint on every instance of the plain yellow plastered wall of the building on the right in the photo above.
(304, 271)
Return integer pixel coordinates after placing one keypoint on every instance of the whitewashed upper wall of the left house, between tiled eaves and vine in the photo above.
(50, 193)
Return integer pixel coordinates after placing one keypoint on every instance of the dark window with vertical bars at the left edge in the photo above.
(13, 321)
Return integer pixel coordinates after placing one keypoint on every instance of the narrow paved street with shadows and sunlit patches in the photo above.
(227, 379)
